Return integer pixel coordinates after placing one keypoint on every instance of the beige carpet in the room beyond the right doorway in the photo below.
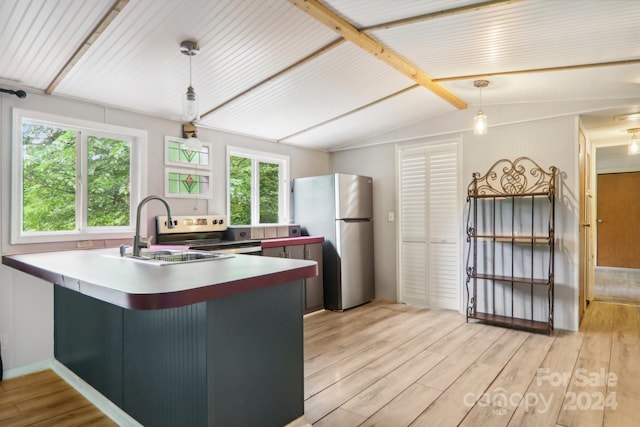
(617, 285)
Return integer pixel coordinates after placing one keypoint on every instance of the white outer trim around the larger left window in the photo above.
(138, 167)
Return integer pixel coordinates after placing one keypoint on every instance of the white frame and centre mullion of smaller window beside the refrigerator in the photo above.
(283, 189)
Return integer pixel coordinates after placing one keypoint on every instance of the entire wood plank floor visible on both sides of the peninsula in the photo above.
(393, 365)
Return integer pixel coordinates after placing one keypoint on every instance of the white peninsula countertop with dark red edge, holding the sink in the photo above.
(133, 284)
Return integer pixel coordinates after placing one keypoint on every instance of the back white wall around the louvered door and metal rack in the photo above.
(548, 142)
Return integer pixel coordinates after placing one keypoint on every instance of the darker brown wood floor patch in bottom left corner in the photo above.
(45, 399)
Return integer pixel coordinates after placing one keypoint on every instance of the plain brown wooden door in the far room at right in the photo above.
(619, 220)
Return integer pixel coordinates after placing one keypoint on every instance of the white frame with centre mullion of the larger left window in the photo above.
(84, 128)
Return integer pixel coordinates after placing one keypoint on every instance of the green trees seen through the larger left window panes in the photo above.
(50, 173)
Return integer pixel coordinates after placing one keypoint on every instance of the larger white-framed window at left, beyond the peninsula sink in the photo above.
(73, 179)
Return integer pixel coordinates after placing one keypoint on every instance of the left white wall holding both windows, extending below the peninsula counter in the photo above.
(26, 303)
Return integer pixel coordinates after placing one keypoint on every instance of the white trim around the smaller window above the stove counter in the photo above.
(283, 194)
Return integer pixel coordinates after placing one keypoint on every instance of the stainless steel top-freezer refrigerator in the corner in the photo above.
(339, 207)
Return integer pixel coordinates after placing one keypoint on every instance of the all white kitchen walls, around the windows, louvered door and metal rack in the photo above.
(26, 303)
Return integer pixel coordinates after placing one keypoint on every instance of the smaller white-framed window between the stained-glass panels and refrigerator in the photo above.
(258, 187)
